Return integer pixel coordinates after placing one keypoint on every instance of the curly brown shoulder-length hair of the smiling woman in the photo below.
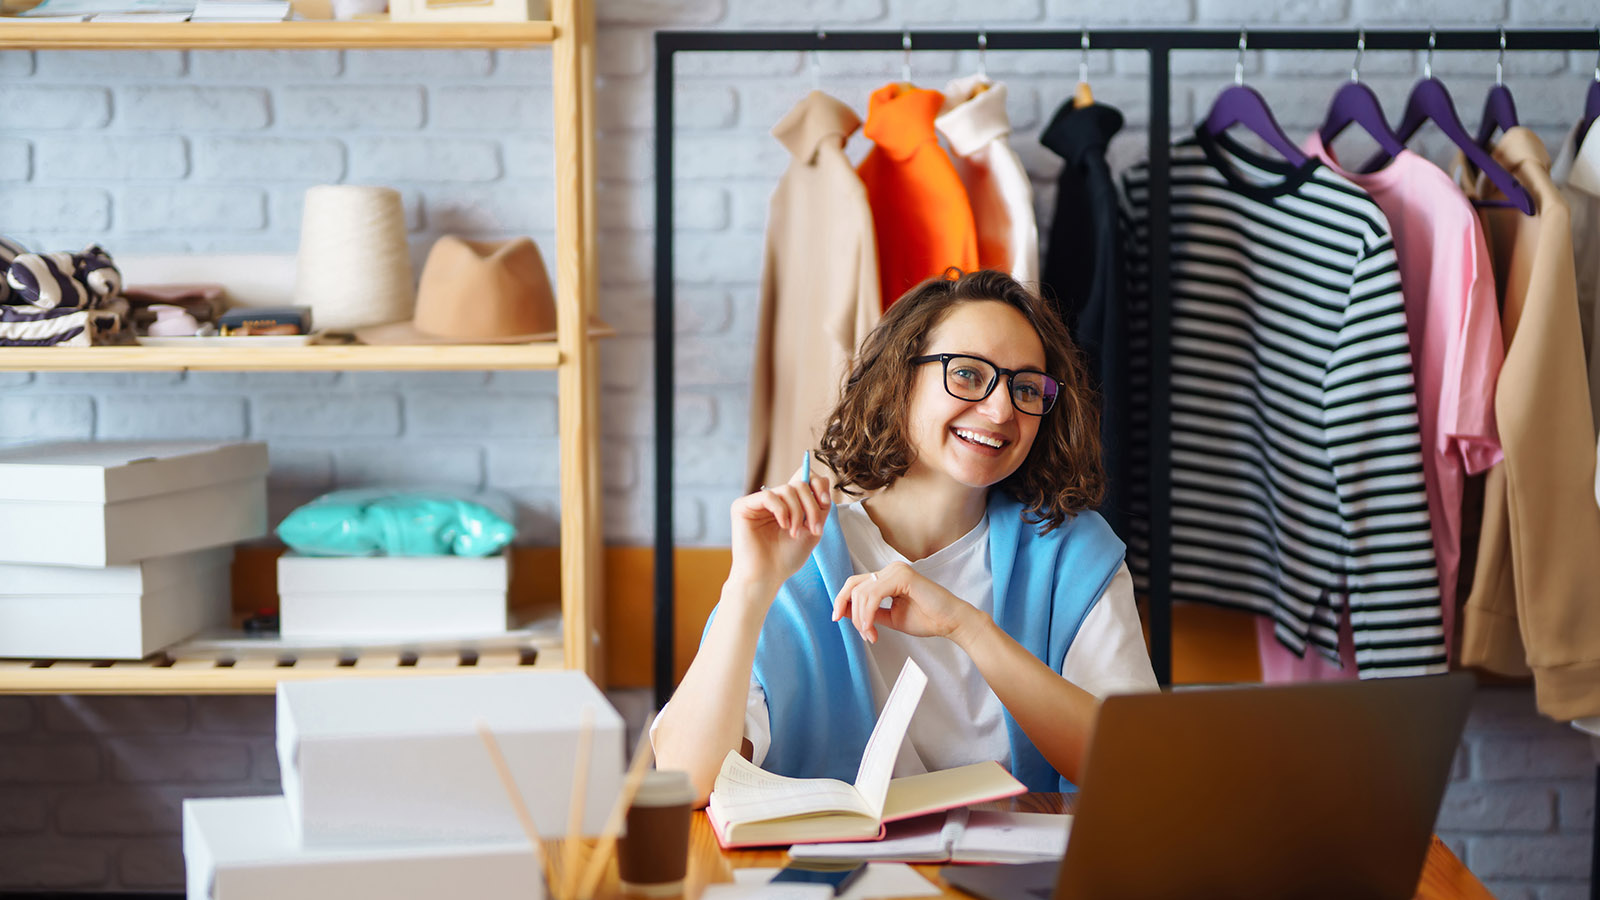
(865, 441)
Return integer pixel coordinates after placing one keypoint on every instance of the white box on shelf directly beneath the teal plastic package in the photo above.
(391, 597)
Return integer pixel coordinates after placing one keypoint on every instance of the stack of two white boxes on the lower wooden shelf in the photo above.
(118, 550)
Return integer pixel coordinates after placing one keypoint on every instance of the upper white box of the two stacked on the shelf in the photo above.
(84, 504)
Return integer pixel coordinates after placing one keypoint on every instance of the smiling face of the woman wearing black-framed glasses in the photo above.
(977, 444)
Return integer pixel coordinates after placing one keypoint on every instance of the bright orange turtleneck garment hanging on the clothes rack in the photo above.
(921, 214)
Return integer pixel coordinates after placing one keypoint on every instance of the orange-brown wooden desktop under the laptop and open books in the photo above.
(1444, 877)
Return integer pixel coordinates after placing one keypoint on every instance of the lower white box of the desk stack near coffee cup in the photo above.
(244, 850)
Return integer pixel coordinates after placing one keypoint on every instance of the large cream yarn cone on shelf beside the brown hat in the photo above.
(354, 268)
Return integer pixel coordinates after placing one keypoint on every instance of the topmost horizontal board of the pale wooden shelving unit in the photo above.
(28, 34)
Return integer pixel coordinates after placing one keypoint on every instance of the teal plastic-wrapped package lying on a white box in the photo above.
(398, 523)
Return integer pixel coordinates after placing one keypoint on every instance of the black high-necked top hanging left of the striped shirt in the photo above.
(1084, 279)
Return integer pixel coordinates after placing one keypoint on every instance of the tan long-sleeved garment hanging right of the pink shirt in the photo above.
(1535, 600)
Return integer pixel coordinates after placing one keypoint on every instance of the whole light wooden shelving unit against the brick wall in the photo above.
(575, 640)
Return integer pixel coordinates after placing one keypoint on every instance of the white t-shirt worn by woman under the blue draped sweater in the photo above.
(961, 720)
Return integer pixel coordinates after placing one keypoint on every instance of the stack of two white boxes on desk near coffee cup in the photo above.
(390, 792)
